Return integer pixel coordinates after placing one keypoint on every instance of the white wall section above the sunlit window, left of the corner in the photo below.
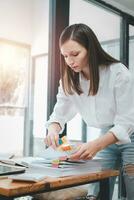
(16, 20)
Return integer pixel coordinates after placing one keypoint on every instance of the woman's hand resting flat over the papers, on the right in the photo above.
(86, 151)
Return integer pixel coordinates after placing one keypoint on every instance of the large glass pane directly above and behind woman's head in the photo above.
(105, 24)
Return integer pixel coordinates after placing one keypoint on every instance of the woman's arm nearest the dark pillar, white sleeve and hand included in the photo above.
(64, 110)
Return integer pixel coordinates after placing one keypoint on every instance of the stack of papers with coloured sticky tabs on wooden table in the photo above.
(40, 167)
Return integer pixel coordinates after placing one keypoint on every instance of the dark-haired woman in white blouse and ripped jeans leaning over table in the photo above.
(99, 88)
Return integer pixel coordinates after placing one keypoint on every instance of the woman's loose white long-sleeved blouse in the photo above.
(112, 105)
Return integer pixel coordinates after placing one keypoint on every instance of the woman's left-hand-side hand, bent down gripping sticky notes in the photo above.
(52, 138)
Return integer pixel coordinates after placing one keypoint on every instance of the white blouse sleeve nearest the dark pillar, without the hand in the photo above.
(64, 109)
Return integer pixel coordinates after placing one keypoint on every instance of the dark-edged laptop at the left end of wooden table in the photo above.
(6, 170)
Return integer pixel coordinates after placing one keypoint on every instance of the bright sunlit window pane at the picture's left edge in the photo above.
(14, 64)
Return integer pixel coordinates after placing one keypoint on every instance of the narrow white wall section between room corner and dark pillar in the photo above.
(40, 26)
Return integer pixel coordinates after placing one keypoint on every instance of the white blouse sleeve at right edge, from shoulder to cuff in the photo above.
(124, 100)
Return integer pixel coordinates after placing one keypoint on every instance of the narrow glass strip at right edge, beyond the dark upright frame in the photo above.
(131, 49)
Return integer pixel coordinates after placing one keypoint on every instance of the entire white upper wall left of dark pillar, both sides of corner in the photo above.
(25, 21)
